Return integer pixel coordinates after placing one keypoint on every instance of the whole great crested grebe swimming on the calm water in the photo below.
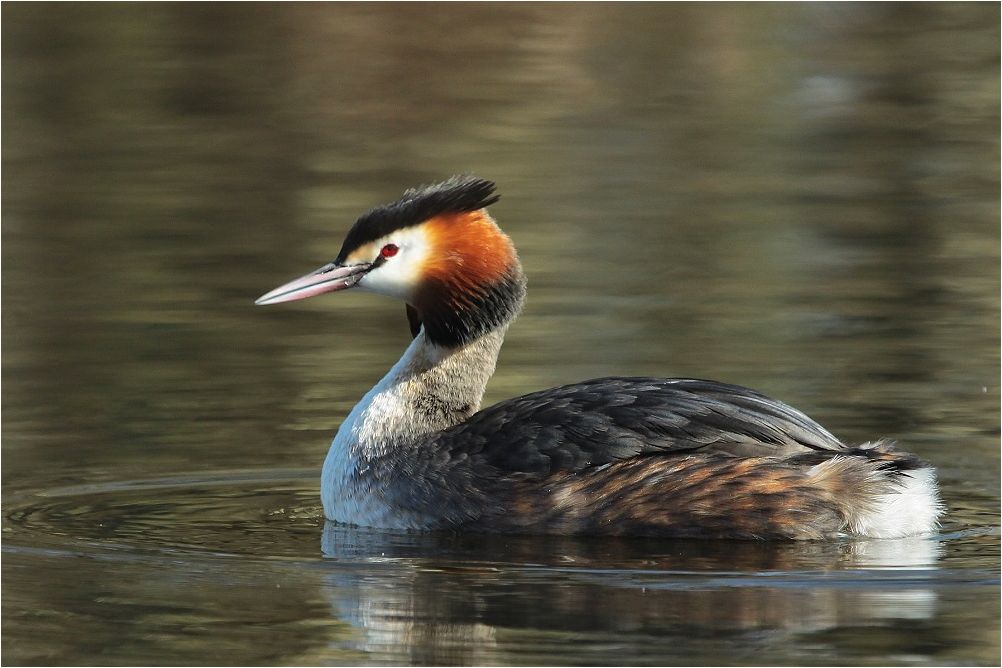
(614, 456)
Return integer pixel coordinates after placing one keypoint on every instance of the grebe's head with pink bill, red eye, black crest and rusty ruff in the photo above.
(435, 249)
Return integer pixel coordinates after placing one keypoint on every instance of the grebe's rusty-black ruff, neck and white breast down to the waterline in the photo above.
(471, 290)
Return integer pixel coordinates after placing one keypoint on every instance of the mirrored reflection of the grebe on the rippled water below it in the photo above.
(444, 598)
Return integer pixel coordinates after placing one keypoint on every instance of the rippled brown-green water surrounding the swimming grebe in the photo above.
(803, 199)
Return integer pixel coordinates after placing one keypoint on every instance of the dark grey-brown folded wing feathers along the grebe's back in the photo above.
(577, 427)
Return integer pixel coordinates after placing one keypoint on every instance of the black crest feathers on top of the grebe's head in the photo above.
(459, 195)
